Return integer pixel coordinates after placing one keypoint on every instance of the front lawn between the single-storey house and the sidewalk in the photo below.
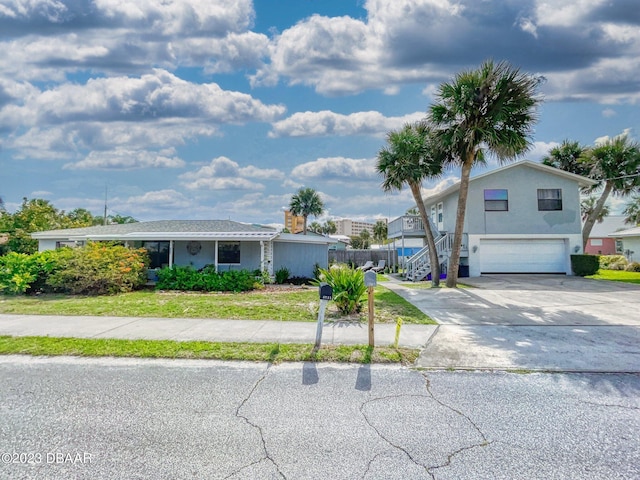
(298, 305)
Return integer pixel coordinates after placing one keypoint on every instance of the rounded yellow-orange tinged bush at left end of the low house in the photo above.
(99, 269)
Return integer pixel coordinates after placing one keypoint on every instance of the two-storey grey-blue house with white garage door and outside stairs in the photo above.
(520, 218)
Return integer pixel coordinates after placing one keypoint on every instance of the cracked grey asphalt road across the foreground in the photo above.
(125, 418)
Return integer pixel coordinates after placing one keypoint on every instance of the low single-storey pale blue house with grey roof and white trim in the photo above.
(227, 245)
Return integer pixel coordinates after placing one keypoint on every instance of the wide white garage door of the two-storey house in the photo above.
(523, 256)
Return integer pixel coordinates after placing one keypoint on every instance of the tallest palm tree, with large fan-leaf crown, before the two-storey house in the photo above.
(492, 108)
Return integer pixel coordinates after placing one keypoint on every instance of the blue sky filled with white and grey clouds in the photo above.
(222, 109)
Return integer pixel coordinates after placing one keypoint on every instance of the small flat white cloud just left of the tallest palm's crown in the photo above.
(323, 123)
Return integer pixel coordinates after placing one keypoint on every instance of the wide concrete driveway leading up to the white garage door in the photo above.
(533, 322)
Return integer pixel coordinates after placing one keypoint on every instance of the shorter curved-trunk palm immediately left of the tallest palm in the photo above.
(409, 158)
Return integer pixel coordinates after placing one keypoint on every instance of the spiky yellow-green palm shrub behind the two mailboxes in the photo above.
(348, 287)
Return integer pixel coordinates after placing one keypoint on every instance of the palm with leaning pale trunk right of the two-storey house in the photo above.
(615, 164)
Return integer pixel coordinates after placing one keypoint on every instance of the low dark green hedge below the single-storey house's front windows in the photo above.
(189, 279)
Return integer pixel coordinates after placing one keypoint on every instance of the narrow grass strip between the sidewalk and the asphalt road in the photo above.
(258, 352)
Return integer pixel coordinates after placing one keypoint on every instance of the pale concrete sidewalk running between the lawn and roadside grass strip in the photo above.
(185, 329)
